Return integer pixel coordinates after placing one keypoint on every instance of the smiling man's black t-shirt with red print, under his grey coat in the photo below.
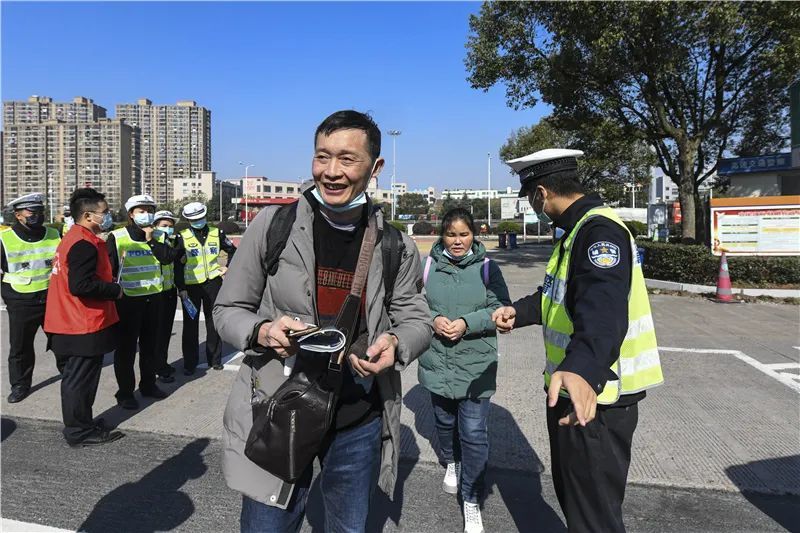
(336, 258)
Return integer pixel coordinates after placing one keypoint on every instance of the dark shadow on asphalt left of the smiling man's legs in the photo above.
(155, 502)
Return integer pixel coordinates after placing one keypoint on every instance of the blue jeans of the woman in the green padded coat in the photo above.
(466, 441)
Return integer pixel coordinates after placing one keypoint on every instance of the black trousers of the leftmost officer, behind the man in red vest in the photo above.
(24, 320)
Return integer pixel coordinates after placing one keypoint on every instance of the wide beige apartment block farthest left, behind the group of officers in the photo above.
(55, 158)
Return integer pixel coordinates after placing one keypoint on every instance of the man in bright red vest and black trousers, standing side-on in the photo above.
(81, 317)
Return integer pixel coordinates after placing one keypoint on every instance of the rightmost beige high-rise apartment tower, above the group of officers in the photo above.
(174, 143)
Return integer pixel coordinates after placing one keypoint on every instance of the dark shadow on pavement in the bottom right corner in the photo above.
(780, 475)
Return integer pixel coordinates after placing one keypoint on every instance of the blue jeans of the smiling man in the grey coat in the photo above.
(349, 472)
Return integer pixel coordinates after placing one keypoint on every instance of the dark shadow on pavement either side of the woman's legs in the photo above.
(520, 487)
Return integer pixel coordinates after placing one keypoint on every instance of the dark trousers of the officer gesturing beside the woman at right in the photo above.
(590, 465)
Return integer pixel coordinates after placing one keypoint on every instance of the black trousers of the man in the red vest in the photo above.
(78, 390)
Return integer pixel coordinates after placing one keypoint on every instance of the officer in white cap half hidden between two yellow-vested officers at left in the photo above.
(164, 231)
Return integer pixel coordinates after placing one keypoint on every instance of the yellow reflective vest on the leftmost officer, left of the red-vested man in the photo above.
(29, 263)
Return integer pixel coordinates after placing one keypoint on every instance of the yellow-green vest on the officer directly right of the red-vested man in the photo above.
(141, 271)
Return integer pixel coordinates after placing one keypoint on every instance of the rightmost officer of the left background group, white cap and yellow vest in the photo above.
(202, 275)
